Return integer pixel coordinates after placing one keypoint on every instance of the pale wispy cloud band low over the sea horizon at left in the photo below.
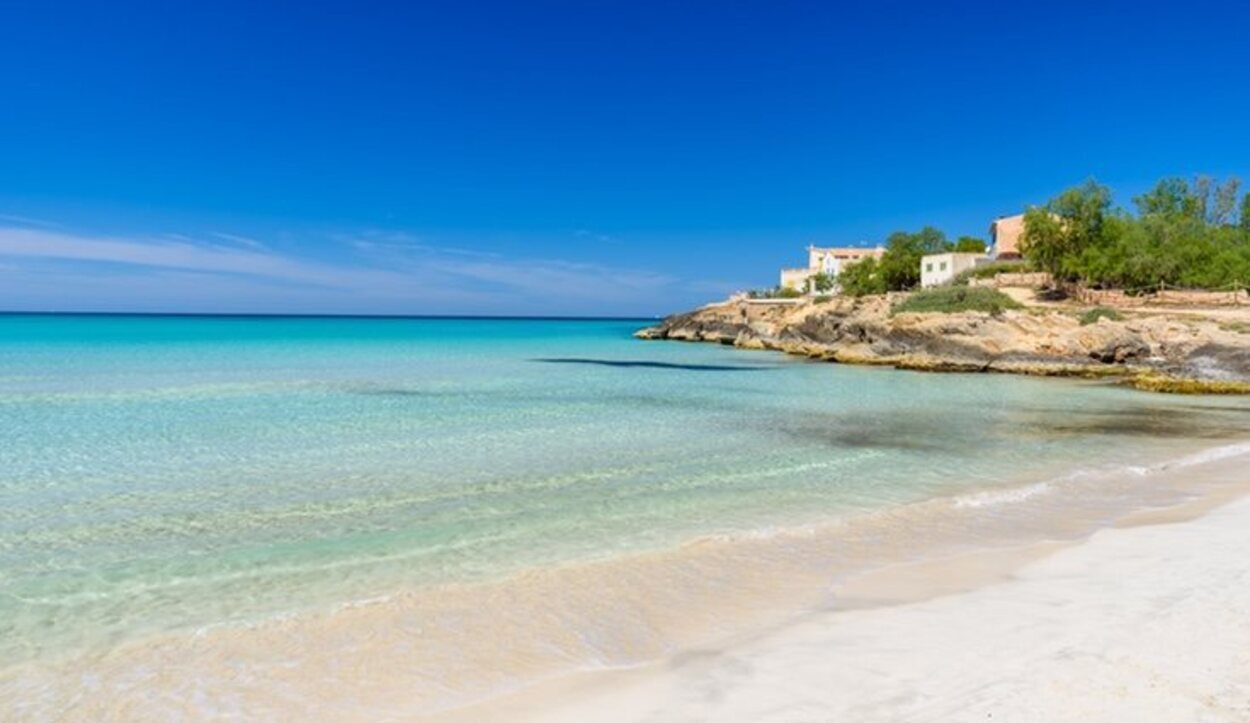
(391, 270)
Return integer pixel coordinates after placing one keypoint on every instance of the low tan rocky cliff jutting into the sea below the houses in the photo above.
(1152, 352)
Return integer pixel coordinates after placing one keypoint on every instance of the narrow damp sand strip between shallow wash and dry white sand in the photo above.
(582, 695)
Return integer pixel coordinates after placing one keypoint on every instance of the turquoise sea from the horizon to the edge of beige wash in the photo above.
(167, 476)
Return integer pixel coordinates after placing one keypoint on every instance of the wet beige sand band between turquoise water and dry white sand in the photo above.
(576, 634)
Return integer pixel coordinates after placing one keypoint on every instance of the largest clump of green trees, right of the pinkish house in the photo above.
(1186, 236)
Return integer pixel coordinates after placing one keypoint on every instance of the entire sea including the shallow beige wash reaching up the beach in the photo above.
(223, 492)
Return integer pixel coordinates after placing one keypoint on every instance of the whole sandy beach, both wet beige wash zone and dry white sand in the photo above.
(906, 614)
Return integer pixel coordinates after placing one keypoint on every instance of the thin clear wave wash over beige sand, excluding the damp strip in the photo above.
(429, 650)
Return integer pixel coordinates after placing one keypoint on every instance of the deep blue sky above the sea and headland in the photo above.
(564, 158)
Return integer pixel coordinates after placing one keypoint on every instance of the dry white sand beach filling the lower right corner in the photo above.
(1147, 621)
